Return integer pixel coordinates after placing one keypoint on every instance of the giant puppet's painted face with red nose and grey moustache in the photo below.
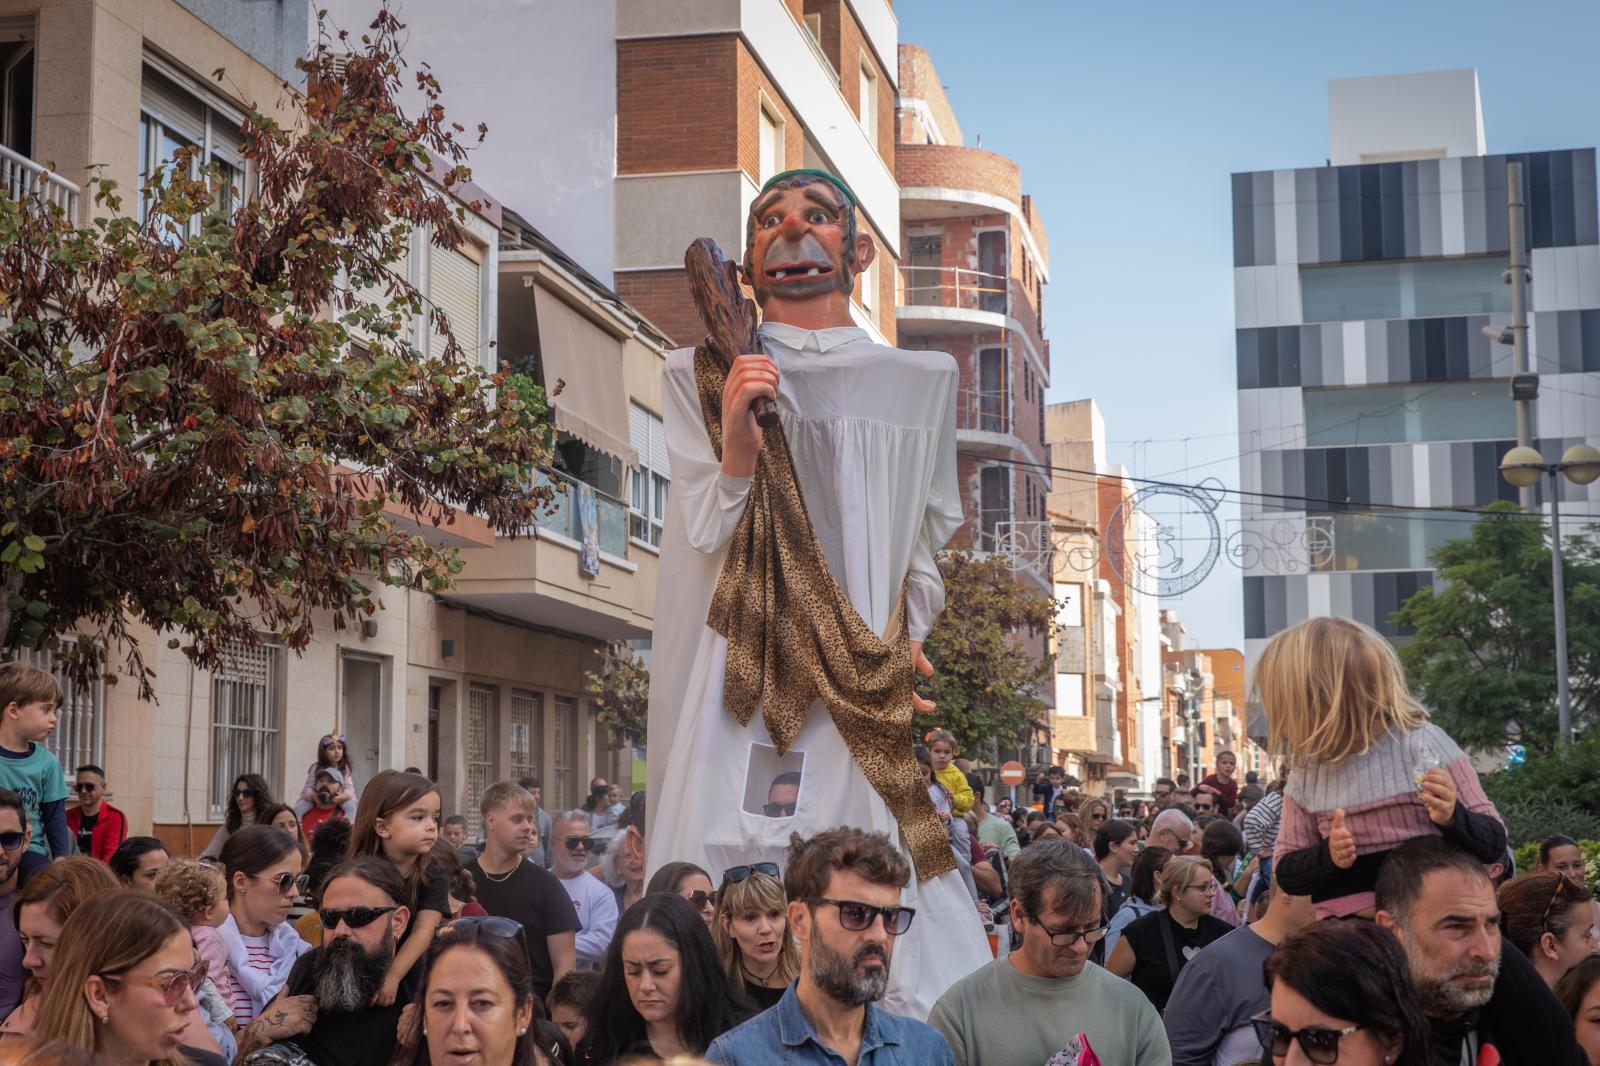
(801, 244)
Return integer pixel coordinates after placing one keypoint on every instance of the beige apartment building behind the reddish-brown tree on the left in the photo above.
(482, 683)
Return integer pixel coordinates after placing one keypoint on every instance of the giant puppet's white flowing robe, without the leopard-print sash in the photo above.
(873, 436)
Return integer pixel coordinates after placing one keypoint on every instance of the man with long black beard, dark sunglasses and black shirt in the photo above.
(362, 920)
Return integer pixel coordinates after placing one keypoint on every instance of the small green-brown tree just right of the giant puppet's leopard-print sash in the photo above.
(988, 683)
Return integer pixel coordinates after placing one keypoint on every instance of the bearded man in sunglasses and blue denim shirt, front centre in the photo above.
(846, 910)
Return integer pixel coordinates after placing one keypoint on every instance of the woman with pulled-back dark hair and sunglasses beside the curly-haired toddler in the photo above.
(263, 868)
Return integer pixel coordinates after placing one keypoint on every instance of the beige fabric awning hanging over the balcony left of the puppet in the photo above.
(593, 404)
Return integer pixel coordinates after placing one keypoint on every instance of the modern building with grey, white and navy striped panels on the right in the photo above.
(1366, 382)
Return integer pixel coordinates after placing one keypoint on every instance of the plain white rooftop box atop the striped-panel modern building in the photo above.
(1404, 116)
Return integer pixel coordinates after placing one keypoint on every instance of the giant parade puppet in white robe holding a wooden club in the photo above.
(814, 479)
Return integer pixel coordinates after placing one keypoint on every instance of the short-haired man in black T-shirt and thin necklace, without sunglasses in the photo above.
(513, 886)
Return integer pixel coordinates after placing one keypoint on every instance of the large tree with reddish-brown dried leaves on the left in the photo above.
(207, 407)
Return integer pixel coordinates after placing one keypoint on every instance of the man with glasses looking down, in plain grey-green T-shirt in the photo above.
(1046, 998)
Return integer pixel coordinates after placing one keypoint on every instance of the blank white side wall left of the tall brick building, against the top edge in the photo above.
(543, 76)
